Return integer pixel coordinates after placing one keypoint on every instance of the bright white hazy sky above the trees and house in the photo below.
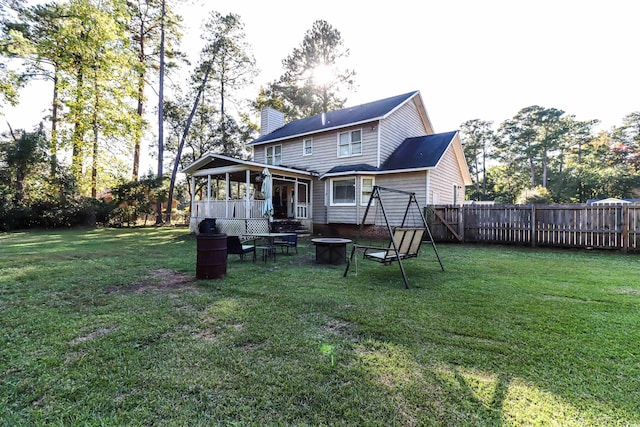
(470, 59)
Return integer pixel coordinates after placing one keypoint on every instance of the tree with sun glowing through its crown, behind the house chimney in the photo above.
(315, 78)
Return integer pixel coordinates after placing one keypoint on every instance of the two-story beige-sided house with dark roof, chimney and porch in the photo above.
(324, 167)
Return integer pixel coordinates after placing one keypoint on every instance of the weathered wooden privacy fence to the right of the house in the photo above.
(572, 225)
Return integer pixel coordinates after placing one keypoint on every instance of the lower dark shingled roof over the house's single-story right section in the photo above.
(416, 153)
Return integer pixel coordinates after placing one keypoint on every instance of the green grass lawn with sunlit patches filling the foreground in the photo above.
(109, 327)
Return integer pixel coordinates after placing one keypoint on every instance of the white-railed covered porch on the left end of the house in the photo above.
(233, 192)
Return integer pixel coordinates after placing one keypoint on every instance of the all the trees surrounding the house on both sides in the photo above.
(100, 58)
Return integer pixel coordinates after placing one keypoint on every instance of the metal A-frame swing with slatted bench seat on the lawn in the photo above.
(405, 240)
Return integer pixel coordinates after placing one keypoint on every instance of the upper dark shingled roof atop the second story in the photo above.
(350, 116)
